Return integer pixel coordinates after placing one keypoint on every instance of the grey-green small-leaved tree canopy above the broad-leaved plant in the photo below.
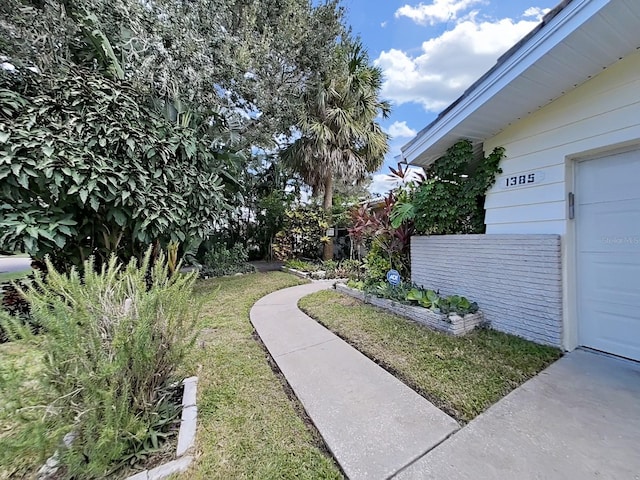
(250, 55)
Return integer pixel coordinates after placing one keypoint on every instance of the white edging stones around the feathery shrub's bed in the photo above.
(186, 439)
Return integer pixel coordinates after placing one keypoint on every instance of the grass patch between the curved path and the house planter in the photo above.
(461, 375)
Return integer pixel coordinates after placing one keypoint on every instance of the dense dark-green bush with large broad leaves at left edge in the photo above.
(88, 169)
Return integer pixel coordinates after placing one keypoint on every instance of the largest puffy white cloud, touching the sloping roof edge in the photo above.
(448, 64)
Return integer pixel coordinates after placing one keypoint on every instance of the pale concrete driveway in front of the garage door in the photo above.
(578, 419)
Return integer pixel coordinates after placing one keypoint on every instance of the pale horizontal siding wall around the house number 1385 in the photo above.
(600, 114)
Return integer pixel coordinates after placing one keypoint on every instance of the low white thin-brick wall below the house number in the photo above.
(516, 279)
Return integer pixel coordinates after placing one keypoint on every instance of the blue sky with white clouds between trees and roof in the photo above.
(431, 51)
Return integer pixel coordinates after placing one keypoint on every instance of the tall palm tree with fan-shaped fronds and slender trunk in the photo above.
(340, 137)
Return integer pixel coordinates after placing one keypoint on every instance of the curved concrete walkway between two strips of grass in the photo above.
(374, 425)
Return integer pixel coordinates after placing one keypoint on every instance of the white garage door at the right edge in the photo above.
(608, 240)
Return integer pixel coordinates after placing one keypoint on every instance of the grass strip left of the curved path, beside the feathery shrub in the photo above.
(247, 427)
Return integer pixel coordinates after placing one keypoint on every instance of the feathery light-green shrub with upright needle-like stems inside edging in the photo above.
(114, 341)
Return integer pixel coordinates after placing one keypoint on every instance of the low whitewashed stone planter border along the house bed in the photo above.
(452, 323)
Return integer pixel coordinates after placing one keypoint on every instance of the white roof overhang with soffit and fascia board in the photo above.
(582, 39)
